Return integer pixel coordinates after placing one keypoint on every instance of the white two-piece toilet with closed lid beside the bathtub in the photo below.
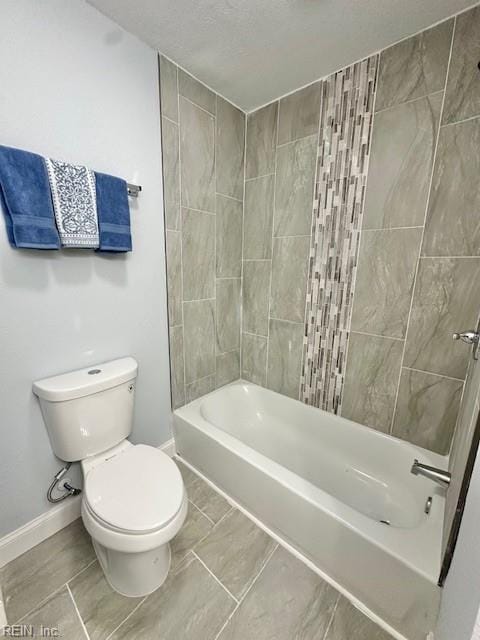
(134, 501)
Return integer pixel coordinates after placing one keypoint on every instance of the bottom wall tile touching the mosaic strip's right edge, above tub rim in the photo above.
(373, 368)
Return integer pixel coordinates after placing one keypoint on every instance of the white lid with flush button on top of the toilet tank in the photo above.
(83, 382)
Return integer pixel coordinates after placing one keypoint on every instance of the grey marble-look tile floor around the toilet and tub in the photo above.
(229, 580)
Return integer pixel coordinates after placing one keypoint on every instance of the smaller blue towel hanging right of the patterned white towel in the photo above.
(113, 213)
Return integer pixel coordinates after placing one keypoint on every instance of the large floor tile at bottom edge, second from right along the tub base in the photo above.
(287, 601)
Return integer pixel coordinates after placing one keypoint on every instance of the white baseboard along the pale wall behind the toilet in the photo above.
(24, 538)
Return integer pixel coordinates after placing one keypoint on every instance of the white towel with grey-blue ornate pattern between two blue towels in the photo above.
(75, 203)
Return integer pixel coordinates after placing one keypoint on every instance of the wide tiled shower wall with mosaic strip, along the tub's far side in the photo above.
(416, 278)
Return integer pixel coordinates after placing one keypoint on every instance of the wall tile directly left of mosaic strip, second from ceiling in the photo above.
(294, 187)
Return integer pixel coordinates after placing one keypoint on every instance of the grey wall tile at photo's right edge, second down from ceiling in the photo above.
(452, 227)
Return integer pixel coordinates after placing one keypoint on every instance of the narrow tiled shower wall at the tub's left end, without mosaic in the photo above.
(203, 143)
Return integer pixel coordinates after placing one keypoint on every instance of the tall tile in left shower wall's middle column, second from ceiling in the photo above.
(197, 150)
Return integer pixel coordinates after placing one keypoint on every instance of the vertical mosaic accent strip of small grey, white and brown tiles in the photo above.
(342, 163)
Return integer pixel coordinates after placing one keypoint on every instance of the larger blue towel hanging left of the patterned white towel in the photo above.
(26, 200)
